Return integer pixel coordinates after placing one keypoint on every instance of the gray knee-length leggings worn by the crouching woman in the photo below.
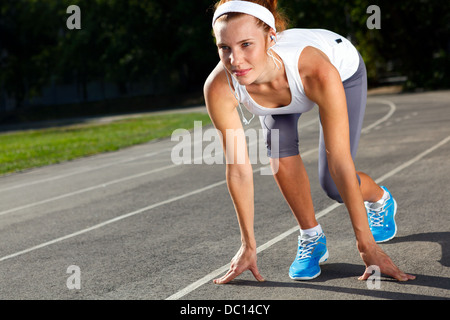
(356, 94)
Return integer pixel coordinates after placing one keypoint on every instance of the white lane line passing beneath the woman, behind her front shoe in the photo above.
(209, 277)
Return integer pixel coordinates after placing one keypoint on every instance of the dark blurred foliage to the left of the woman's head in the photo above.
(166, 42)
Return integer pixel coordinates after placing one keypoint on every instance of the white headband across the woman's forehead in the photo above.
(246, 7)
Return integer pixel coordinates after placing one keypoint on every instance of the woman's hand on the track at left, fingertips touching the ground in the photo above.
(245, 259)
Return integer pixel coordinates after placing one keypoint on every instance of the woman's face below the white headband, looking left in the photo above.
(242, 46)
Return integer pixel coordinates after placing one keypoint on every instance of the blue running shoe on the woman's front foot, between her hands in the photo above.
(312, 250)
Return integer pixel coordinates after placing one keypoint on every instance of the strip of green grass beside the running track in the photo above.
(36, 148)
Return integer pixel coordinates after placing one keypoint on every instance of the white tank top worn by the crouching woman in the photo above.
(290, 44)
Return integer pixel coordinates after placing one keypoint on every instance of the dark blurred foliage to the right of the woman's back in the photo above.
(414, 39)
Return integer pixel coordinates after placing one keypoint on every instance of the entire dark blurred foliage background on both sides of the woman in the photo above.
(170, 42)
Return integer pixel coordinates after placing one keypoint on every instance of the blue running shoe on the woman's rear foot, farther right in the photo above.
(381, 218)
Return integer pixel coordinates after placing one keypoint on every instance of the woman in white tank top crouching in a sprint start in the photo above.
(278, 76)
